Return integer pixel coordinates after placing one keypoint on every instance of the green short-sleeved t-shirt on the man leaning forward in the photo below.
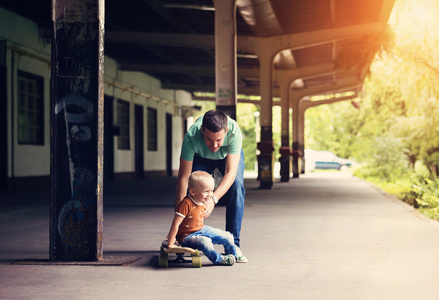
(193, 142)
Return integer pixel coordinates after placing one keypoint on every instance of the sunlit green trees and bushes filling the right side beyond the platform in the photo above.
(395, 129)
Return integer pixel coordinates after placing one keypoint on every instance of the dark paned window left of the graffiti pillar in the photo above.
(30, 109)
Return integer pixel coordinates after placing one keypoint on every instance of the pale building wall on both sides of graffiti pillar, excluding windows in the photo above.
(27, 52)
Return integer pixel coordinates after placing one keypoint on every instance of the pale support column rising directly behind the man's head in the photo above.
(225, 56)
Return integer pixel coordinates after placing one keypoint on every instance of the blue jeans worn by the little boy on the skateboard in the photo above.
(206, 237)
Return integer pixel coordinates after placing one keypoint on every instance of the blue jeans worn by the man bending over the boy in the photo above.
(234, 197)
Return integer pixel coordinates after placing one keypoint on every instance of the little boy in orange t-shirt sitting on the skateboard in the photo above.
(188, 225)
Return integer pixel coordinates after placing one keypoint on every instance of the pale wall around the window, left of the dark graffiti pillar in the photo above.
(26, 52)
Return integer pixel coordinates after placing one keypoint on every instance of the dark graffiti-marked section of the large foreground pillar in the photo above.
(75, 142)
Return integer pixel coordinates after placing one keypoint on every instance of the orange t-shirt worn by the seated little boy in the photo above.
(193, 214)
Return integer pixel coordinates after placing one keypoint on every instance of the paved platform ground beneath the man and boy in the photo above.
(323, 236)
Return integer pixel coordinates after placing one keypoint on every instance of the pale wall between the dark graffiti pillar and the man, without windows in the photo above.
(154, 160)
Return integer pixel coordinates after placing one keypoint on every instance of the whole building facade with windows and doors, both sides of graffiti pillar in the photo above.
(143, 123)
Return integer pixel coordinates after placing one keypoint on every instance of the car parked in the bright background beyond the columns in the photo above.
(325, 160)
